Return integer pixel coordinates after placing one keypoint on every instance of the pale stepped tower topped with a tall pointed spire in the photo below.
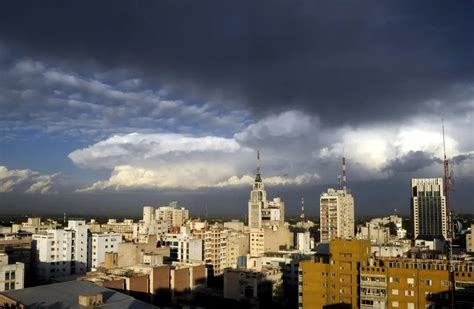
(258, 199)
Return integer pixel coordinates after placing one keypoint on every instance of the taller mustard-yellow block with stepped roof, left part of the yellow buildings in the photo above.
(333, 280)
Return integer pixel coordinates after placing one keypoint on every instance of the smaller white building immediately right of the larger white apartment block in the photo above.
(100, 244)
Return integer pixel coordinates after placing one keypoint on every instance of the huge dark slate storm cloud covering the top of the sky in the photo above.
(374, 60)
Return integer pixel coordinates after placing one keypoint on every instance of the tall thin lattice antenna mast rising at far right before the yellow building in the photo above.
(449, 212)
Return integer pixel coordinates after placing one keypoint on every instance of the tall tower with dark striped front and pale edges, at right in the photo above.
(428, 208)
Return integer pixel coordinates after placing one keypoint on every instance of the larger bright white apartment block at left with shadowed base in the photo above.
(61, 252)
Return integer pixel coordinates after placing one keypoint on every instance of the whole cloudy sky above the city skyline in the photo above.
(106, 106)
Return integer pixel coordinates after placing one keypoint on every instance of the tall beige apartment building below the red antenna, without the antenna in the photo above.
(336, 215)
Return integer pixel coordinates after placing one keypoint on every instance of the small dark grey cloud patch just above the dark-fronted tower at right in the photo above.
(411, 162)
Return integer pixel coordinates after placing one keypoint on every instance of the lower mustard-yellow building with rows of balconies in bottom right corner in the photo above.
(411, 283)
